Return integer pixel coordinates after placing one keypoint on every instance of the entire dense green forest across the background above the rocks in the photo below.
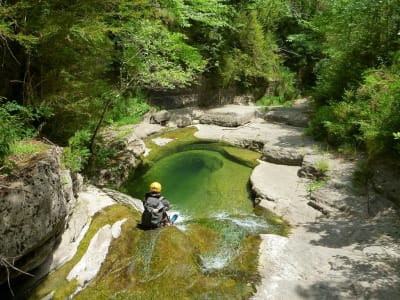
(69, 67)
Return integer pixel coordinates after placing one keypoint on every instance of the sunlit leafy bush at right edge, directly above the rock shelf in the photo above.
(367, 117)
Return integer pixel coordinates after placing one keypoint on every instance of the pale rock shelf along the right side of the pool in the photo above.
(344, 244)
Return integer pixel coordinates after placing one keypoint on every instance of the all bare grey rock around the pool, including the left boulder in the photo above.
(343, 244)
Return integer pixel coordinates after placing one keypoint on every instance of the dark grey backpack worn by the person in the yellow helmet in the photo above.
(153, 212)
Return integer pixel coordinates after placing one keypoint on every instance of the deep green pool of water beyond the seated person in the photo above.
(199, 184)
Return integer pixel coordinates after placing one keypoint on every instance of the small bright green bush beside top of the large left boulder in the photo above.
(77, 153)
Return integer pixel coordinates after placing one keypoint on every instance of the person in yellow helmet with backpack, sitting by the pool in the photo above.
(155, 208)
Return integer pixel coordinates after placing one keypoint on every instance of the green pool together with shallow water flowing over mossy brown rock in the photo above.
(210, 253)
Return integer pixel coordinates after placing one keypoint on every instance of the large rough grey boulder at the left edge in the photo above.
(33, 211)
